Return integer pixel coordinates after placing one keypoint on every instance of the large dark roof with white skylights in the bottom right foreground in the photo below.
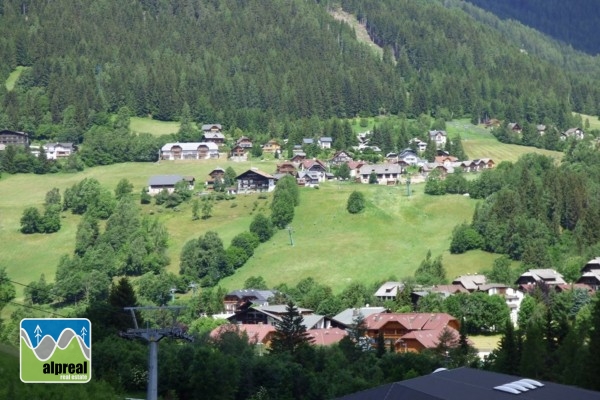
(468, 384)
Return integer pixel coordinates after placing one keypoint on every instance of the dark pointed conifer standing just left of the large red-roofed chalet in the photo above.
(290, 332)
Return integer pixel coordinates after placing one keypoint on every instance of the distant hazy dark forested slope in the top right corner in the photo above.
(573, 22)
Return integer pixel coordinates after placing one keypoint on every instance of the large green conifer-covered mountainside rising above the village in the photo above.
(253, 64)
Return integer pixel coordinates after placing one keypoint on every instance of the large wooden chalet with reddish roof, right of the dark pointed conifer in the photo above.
(411, 332)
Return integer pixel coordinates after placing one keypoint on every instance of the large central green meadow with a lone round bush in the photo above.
(390, 238)
